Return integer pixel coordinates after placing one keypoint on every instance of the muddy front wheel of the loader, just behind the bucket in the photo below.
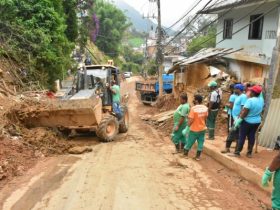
(108, 128)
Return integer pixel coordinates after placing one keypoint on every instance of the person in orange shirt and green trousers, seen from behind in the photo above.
(197, 123)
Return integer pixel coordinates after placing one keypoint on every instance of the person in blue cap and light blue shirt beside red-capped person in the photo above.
(239, 102)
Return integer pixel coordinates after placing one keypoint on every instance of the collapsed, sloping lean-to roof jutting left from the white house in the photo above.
(202, 56)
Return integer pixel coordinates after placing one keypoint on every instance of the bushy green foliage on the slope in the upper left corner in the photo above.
(33, 34)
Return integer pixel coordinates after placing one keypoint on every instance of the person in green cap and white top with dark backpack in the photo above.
(215, 98)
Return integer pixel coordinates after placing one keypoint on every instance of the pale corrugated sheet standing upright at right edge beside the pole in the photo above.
(271, 128)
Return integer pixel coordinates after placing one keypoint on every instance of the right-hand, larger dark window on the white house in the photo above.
(256, 26)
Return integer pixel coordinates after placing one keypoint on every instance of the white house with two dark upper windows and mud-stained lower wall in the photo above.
(250, 25)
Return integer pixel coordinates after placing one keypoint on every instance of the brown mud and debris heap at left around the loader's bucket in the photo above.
(21, 147)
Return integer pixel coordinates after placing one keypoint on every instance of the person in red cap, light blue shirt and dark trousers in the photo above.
(250, 120)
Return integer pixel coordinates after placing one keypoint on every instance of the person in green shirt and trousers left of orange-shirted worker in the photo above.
(180, 123)
